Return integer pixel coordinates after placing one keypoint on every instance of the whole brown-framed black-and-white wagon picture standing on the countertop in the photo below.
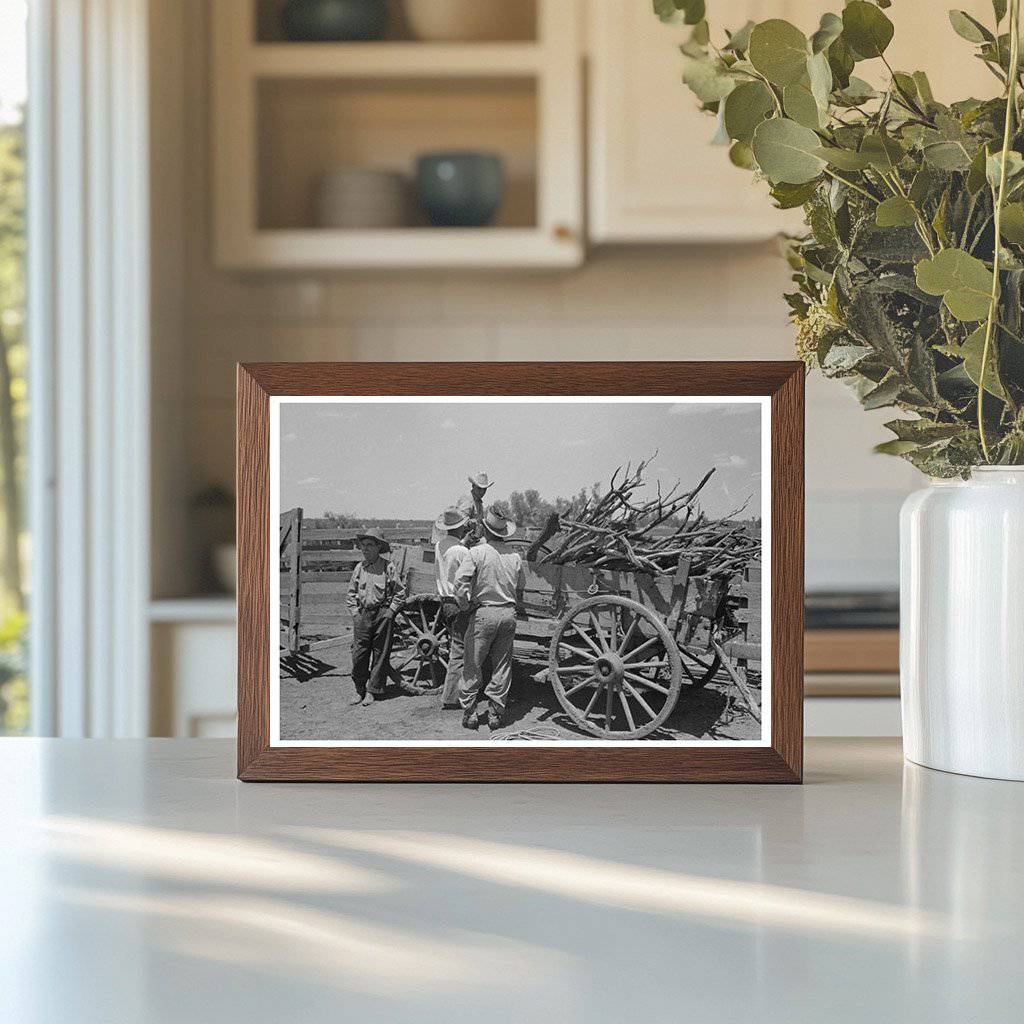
(521, 572)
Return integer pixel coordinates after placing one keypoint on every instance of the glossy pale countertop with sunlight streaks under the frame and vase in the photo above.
(141, 882)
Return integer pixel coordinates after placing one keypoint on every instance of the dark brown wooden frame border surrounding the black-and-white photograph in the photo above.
(781, 757)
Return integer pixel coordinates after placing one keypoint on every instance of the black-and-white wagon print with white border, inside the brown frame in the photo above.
(461, 571)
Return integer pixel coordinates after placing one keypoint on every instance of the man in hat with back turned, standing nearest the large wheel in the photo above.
(490, 583)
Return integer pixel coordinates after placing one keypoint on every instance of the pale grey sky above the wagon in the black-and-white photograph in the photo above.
(377, 460)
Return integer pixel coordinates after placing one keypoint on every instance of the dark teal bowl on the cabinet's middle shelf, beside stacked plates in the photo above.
(460, 190)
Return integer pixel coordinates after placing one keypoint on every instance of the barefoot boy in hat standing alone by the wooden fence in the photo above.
(375, 595)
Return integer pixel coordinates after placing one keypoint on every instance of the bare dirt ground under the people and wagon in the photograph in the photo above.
(317, 695)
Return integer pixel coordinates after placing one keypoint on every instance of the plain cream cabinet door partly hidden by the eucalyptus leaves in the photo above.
(654, 175)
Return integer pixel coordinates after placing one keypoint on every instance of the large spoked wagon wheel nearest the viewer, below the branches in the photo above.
(615, 667)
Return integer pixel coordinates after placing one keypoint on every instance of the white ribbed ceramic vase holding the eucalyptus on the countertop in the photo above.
(962, 624)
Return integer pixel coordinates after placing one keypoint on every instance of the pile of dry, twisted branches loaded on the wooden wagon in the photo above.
(619, 532)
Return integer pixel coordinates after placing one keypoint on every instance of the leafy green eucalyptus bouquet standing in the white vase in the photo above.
(910, 281)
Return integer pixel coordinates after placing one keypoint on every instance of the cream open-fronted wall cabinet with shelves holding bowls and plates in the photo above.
(287, 114)
